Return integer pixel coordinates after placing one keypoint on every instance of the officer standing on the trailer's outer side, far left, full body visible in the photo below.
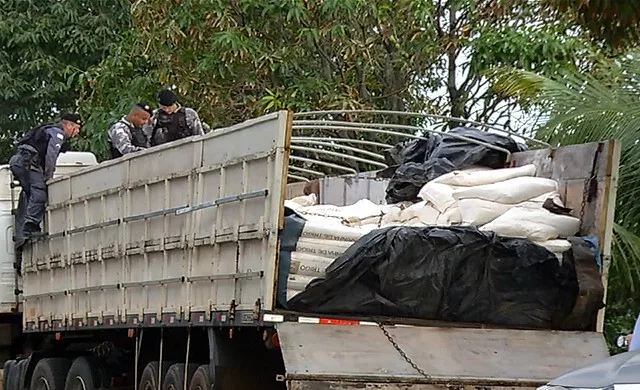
(33, 164)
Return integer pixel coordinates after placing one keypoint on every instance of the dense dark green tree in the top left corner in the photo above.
(45, 47)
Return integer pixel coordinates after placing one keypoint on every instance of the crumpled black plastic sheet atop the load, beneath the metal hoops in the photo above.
(414, 163)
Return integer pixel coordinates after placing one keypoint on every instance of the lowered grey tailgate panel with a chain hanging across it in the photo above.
(355, 357)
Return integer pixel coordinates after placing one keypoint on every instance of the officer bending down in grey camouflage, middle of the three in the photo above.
(127, 135)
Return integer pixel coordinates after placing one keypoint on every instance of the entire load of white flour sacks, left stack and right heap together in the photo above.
(506, 201)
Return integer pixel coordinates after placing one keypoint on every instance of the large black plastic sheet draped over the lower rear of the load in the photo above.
(449, 274)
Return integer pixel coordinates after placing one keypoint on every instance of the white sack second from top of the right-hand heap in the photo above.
(512, 191)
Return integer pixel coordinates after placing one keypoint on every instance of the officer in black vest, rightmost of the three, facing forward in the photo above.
(171, 121)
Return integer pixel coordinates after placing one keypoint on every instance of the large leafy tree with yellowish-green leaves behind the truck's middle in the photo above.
(232, 60)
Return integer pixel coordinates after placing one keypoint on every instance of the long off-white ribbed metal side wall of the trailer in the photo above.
(187, 226)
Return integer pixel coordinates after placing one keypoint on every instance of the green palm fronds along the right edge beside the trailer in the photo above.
(593, 107)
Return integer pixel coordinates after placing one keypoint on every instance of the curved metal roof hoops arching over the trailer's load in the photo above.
(321, 141)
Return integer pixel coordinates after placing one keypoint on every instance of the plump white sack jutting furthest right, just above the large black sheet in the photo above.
(534, 224)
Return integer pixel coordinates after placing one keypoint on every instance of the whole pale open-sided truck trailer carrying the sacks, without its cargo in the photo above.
(159, 270)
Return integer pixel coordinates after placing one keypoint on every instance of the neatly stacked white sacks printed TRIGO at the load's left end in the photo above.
(324, 238)
